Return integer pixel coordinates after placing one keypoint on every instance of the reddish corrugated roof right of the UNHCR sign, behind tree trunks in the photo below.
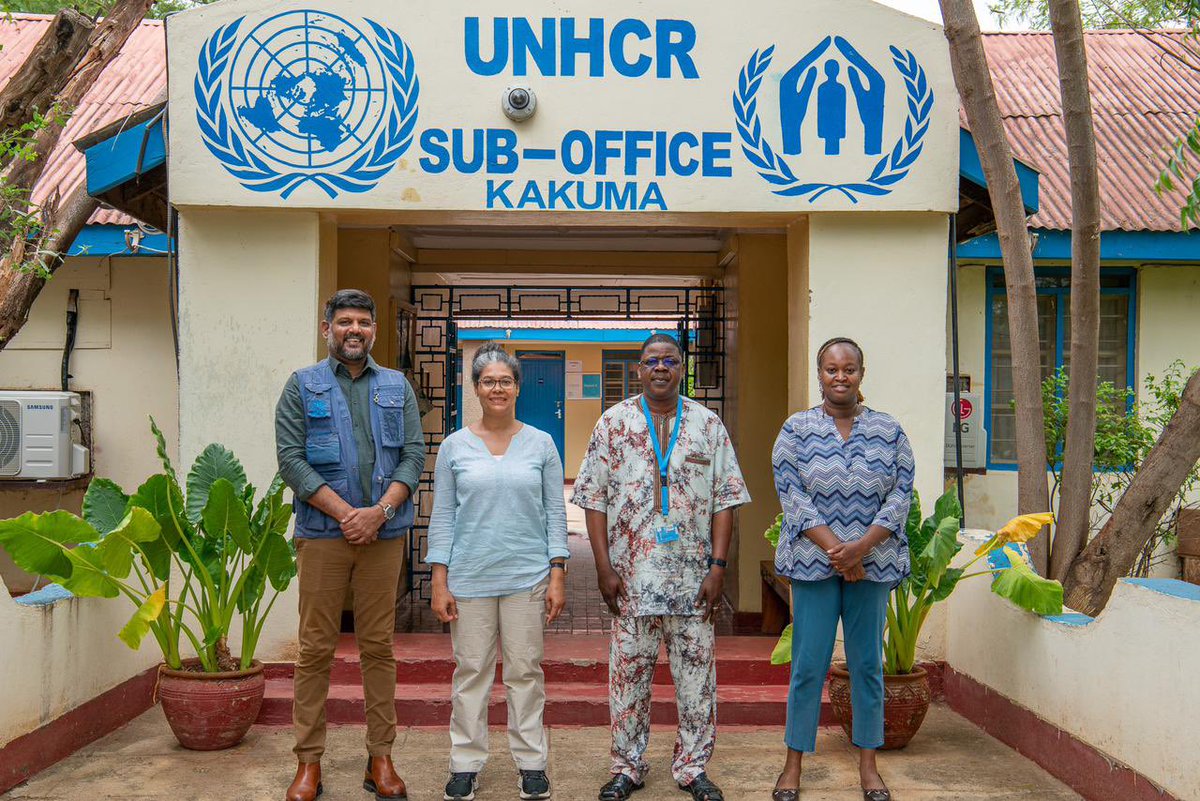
(1143, 100)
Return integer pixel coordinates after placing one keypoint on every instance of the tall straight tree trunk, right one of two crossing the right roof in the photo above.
(1076, 501)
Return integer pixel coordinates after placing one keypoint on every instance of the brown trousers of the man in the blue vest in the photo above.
(327, 569)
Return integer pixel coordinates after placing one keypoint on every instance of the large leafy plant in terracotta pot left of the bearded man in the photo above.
(194, 564)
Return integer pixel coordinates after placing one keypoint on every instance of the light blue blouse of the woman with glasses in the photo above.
(497, 523)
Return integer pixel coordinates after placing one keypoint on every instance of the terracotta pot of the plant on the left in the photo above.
(209, 712)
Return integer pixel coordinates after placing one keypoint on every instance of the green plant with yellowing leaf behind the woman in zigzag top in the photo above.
(933, 546)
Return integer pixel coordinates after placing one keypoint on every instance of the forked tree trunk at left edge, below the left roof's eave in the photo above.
(20, 288)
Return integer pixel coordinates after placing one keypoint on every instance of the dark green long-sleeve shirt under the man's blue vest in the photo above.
(290, 435)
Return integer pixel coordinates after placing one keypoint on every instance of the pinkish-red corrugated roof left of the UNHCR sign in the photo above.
(133, 82)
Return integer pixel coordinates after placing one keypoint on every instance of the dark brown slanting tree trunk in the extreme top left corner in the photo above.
(46, 70)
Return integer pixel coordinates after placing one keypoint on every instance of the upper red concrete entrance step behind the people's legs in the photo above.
(569, 659)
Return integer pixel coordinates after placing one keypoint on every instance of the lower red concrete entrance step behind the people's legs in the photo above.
(567, 704)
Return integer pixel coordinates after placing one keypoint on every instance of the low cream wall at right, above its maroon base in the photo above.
(1125, 684)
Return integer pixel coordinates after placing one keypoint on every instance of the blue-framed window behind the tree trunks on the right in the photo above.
(1117, 346)
